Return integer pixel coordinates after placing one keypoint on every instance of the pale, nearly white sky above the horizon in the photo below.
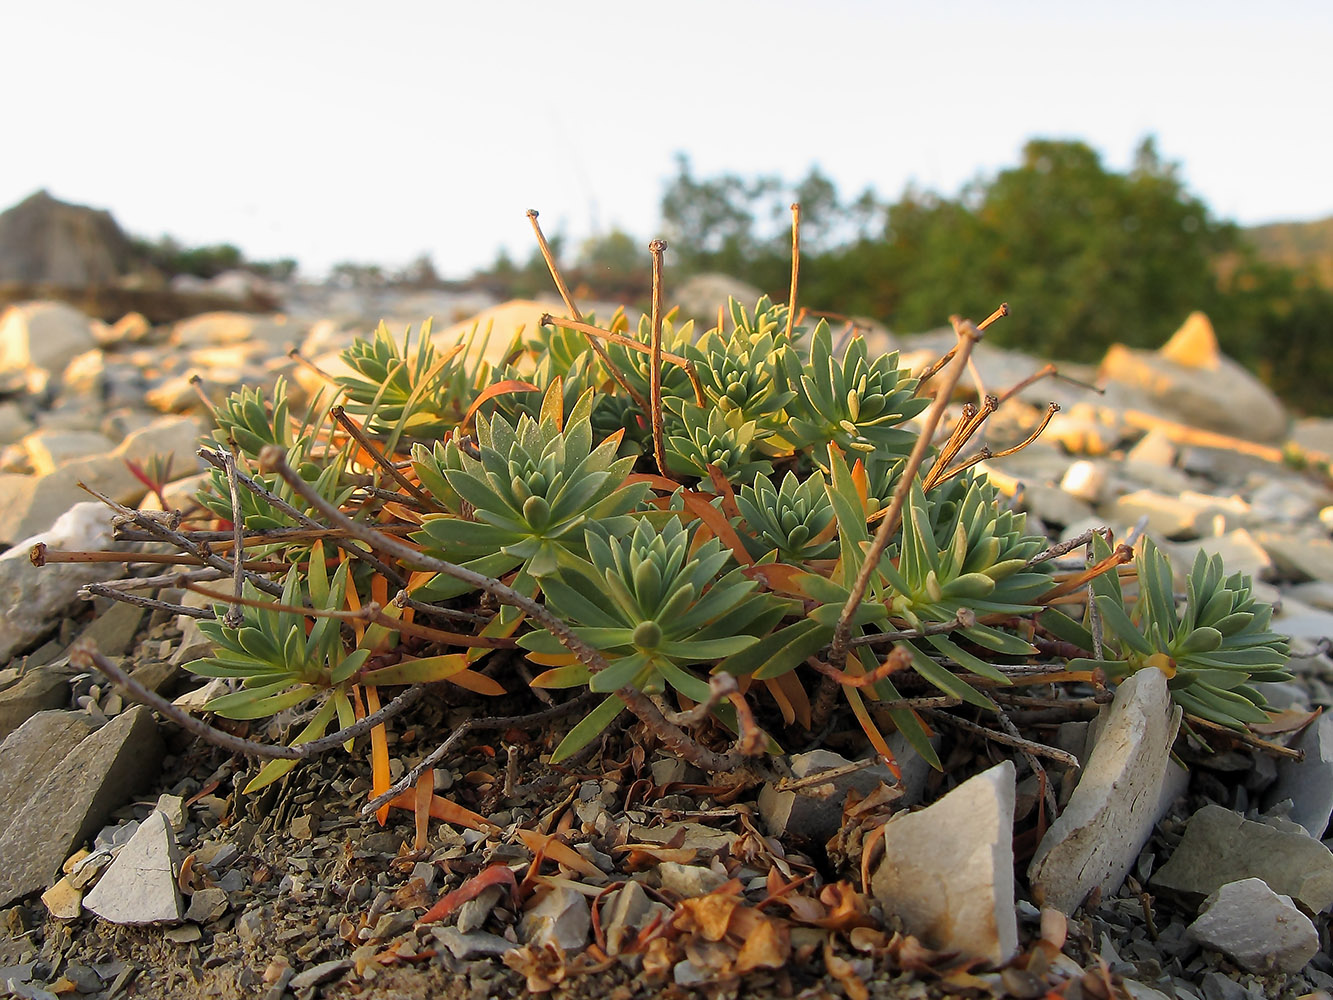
(374, 133)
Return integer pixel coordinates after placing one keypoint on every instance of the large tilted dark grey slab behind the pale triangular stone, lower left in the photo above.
(75, 799)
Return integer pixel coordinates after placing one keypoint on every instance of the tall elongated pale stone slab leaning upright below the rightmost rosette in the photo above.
(1116, 803)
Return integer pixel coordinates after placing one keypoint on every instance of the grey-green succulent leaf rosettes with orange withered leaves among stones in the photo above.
(735, 561)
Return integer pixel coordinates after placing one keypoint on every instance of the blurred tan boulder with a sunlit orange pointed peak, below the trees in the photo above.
(1191, 381)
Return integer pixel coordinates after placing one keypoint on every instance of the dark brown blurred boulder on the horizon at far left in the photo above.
(50, 242)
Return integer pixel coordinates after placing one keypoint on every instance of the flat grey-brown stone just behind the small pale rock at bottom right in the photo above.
(1220, 847)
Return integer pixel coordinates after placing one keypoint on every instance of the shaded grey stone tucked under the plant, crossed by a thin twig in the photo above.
(815, 811)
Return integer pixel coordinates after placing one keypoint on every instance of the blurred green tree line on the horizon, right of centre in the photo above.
(1086, 255)
